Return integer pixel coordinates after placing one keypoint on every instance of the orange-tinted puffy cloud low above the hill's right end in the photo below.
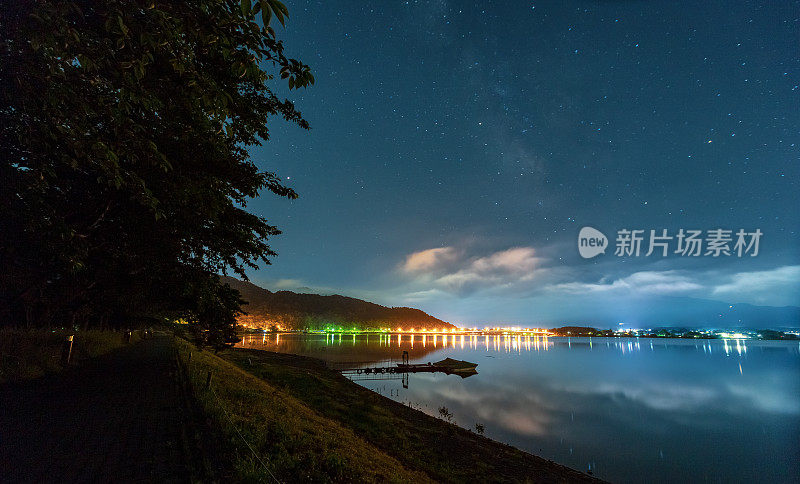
(448, 269)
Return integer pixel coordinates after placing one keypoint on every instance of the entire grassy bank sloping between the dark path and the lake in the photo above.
(312, 423)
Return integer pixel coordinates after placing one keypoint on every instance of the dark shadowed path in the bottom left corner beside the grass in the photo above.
(121, 417)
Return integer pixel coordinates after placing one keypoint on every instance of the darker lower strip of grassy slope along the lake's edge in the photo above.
(440, 450)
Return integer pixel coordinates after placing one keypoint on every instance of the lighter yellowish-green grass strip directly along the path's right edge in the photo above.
(295, 442)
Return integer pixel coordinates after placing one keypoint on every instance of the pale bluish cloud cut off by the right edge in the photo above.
(779, 286)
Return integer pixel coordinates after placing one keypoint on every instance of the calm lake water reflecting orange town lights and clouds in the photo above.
(632, 410)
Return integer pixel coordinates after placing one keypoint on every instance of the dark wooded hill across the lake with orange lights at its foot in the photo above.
(293, 310)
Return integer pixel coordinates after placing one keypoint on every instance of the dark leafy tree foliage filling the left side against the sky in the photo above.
(124, 128)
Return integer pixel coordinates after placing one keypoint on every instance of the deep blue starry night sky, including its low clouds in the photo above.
(457, 149)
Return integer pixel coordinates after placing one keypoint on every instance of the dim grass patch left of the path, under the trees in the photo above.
(26, 353)
